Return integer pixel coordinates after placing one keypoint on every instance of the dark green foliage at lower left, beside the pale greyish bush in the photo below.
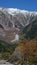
(6, 49)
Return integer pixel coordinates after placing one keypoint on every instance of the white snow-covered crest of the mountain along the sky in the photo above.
(14, 11)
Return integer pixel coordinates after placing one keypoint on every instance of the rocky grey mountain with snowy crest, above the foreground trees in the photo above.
(16, 21)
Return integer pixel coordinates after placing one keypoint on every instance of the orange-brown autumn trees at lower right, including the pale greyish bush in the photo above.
(27, 51)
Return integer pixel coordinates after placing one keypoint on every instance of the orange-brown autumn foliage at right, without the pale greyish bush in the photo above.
(29, 48)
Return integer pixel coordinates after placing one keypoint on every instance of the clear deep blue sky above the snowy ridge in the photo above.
(30, 5)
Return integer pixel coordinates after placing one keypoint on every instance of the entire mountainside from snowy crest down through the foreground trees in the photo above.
(18, 36)
